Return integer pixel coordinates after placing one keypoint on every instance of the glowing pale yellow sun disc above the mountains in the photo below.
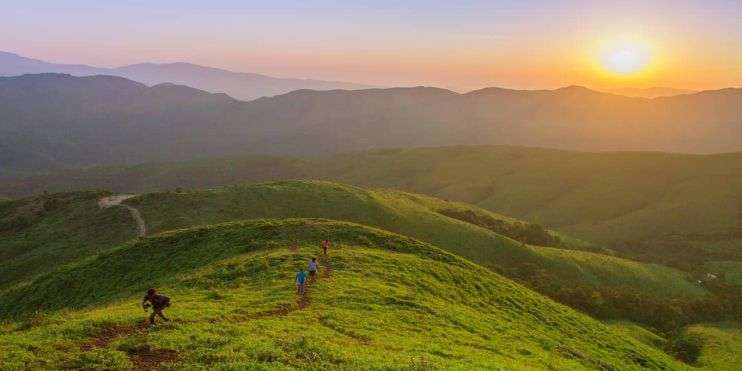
(625, 58)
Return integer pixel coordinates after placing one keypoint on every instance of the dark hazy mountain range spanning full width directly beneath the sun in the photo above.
(53, 121)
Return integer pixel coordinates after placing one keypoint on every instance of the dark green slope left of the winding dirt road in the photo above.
(40, 233)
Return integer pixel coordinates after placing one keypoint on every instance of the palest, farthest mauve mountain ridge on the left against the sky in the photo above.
(244, 86)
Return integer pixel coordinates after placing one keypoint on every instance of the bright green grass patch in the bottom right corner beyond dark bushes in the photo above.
(721, 345)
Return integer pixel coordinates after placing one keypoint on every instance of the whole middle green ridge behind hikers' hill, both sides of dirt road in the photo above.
(586, 280)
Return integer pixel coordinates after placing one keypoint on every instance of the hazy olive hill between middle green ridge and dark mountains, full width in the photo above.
(662, 207)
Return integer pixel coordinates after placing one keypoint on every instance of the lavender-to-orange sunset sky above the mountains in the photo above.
(457, 44)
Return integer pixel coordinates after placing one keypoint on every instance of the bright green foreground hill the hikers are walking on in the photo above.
(381, 301)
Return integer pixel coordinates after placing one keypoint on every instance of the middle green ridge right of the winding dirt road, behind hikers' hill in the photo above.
(411, 215)
